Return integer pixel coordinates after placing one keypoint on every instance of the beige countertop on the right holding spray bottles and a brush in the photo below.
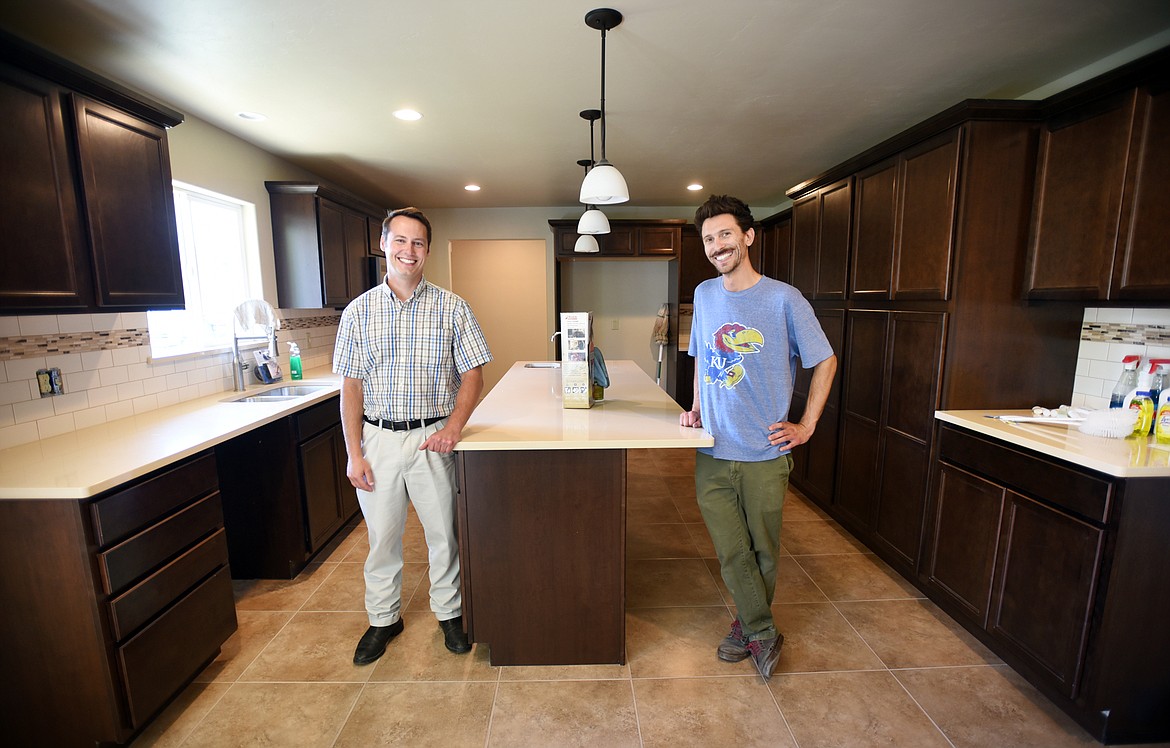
(1121, 458)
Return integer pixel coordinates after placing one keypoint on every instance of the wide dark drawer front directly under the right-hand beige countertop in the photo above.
(1080, 493)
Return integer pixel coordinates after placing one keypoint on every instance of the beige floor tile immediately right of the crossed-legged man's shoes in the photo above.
(818, 639)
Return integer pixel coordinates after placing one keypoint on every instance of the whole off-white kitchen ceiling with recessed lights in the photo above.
(742, 97)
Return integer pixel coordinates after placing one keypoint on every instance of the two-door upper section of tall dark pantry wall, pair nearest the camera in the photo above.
(905, 218)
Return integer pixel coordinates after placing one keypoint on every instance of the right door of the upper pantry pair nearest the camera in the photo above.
(928, 194)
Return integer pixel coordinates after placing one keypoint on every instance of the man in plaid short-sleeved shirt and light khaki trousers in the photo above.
(412, 359)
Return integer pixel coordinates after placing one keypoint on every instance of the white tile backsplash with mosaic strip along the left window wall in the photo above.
(108, 372)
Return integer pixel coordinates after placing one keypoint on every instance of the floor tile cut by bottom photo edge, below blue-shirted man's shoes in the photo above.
(706, 712)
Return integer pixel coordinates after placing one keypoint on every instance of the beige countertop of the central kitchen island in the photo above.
(525, 411)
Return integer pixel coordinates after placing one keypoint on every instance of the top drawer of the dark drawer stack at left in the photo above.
(129, 511)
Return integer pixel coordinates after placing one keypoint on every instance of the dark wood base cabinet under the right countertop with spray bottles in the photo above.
(1061, 571)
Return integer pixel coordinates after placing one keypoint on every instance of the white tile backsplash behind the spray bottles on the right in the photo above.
(1107, 337)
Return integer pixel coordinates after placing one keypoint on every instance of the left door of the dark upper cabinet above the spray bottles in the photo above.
(1078, 201)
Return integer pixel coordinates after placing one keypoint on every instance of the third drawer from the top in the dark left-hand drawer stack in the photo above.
(142, 602)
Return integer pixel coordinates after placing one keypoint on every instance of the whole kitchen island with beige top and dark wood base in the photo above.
(542, 513)
